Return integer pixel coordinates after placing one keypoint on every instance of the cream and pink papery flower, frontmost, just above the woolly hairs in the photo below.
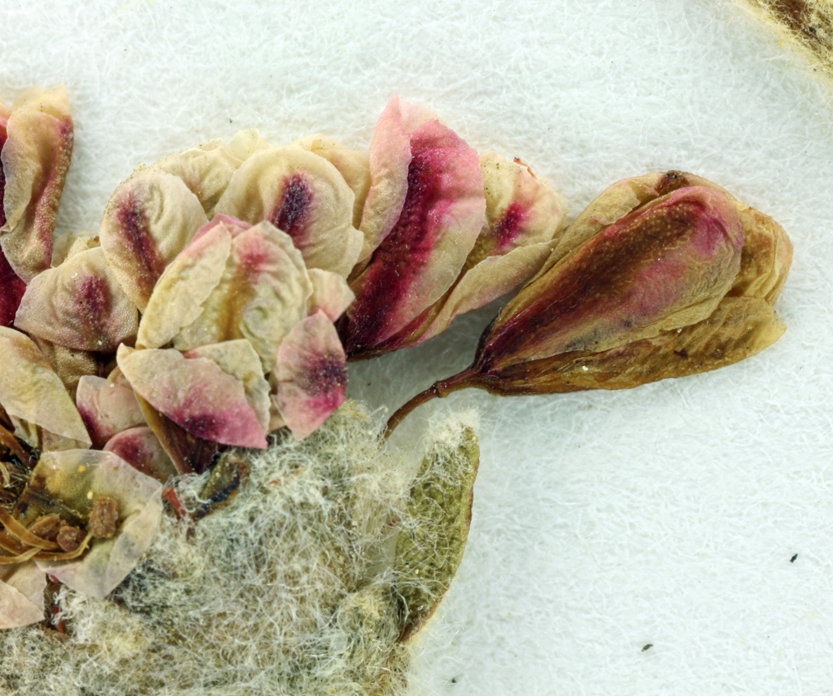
(237, 338)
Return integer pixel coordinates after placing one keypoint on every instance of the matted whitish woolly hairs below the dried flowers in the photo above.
(291, 588)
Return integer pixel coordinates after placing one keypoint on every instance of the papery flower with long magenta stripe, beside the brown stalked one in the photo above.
(445, 232)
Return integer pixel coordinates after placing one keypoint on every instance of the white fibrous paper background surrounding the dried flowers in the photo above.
(603, 522)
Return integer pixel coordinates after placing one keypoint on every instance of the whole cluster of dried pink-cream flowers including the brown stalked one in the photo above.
(230, 283)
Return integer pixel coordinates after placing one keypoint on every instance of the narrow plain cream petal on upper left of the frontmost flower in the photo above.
(178, 297)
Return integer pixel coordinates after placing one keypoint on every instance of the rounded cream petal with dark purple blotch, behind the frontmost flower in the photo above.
(303, 195)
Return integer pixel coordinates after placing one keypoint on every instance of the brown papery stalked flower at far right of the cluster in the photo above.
(663, 275)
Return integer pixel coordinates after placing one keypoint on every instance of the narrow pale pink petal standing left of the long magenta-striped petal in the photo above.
(390, 156)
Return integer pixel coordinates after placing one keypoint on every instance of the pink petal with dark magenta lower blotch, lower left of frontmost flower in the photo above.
(195, 394)
